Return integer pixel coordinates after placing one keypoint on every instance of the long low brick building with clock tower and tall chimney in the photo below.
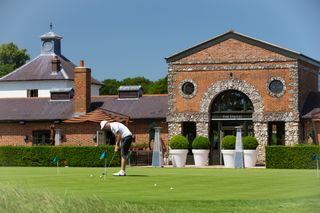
(51, 91)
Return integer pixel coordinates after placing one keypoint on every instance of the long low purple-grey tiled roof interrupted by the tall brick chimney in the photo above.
(36, 109)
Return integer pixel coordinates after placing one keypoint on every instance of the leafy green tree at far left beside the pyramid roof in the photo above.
(11, 58)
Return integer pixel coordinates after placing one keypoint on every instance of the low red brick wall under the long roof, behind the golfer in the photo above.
(80, 134)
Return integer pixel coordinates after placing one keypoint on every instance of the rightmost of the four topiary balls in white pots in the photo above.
(250, 145)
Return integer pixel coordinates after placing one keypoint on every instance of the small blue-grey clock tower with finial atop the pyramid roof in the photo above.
(51, 43)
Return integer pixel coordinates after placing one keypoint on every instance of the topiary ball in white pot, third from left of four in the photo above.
(228, 152)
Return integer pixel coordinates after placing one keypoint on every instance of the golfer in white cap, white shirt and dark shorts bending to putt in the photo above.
(123, 140)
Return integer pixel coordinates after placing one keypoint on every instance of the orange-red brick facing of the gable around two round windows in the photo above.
(234, 53)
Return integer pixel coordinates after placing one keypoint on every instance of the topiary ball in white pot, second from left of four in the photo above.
(200, 150)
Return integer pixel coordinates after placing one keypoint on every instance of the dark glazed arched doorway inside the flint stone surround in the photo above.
(229, 109)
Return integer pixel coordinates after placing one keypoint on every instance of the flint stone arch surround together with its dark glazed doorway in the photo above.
(249, 114)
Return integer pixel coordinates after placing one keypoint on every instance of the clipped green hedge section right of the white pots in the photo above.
(291, 157)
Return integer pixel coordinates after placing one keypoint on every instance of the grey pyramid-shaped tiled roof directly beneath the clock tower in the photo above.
(40, 69)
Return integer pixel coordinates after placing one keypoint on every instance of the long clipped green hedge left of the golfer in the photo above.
(77, 156)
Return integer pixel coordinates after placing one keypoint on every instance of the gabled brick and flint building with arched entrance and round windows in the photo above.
(234, 80)
